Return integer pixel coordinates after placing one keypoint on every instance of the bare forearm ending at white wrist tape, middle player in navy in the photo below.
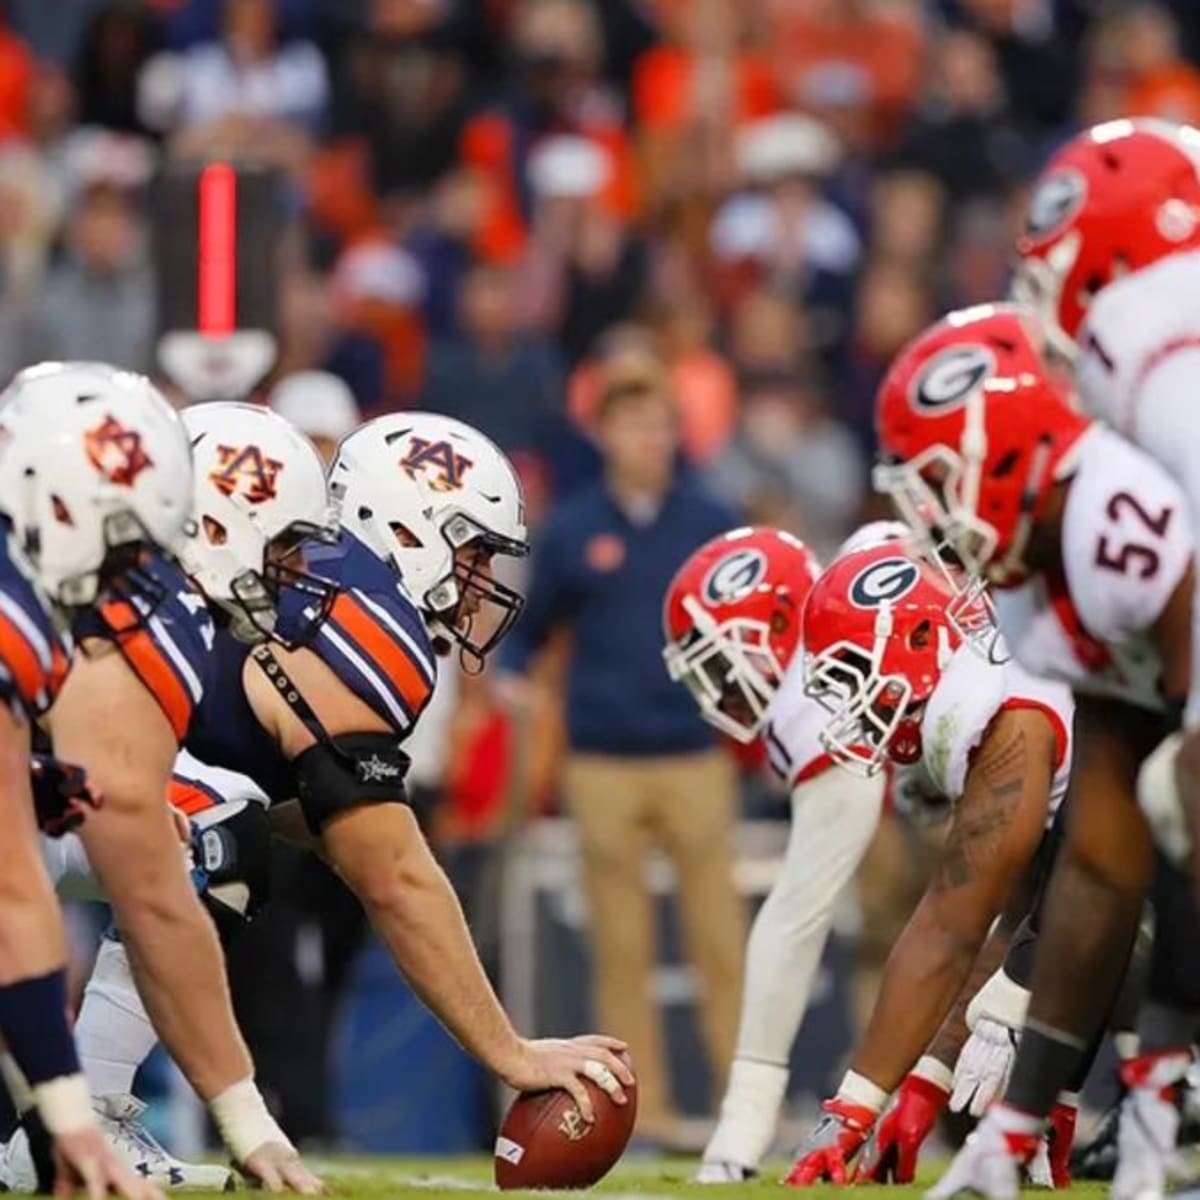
(173, 950)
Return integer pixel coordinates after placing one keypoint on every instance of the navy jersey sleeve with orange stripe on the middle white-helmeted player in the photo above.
(163, 627)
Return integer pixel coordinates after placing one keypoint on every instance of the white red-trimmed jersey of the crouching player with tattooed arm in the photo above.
(970, 695)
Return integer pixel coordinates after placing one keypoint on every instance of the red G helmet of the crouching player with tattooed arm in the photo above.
(877, 638)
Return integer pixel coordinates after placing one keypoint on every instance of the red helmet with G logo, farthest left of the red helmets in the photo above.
(733, 623)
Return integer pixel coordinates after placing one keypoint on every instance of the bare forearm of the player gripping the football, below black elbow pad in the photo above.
(416, 911)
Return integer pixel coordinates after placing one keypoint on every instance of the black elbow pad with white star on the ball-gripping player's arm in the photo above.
(349, 772)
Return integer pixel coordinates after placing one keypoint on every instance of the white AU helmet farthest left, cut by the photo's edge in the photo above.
(94, 466)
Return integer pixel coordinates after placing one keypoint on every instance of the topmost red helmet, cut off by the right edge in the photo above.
(1114, 200)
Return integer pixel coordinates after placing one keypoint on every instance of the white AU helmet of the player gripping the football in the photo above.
(416, 489)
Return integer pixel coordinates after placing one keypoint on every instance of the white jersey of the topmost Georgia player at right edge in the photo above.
(1138, 369)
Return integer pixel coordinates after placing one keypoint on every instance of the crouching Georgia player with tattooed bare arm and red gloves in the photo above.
(913, 671)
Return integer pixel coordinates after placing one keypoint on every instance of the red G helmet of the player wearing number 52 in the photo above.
(974, 433)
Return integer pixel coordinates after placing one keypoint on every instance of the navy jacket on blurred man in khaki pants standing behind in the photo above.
(604, 577)
